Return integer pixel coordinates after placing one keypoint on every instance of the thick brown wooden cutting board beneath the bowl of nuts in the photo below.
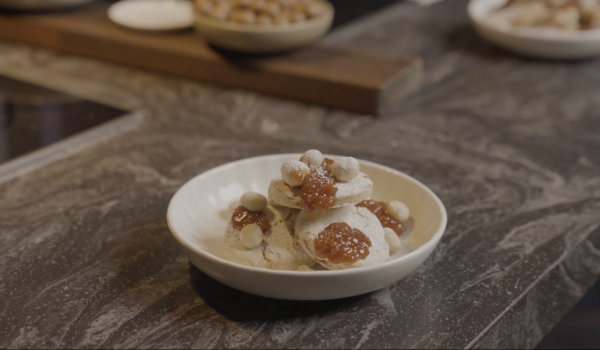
(349, 78)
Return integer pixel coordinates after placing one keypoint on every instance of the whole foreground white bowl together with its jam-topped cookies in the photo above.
(270, 225)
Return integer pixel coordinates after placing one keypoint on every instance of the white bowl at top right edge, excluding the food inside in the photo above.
(549, 44)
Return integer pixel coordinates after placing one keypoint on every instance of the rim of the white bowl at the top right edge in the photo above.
(589, 36)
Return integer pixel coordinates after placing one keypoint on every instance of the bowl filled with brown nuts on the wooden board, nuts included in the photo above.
(262, 26)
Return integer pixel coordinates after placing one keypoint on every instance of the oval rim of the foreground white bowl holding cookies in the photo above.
(433, 241)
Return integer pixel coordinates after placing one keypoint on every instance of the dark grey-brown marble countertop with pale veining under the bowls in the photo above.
(509, 144)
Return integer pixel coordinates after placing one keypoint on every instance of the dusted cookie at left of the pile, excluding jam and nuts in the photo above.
(279, 249)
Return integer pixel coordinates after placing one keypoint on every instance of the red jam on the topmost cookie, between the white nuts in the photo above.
(318, 188)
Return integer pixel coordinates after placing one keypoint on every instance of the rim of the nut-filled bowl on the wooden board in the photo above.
(244, 28)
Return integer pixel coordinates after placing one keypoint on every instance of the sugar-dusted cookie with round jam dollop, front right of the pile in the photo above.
(342, 238)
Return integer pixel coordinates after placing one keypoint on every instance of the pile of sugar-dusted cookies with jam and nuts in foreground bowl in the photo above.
(318, 211)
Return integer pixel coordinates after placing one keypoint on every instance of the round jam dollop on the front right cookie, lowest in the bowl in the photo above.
(340, 243)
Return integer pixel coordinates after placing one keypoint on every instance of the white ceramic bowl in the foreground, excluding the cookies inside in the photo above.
(196, 217)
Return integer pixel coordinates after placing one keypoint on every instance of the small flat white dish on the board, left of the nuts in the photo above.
(153, 15)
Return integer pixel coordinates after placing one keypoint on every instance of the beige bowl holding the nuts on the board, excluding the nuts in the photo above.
(255, 39)
